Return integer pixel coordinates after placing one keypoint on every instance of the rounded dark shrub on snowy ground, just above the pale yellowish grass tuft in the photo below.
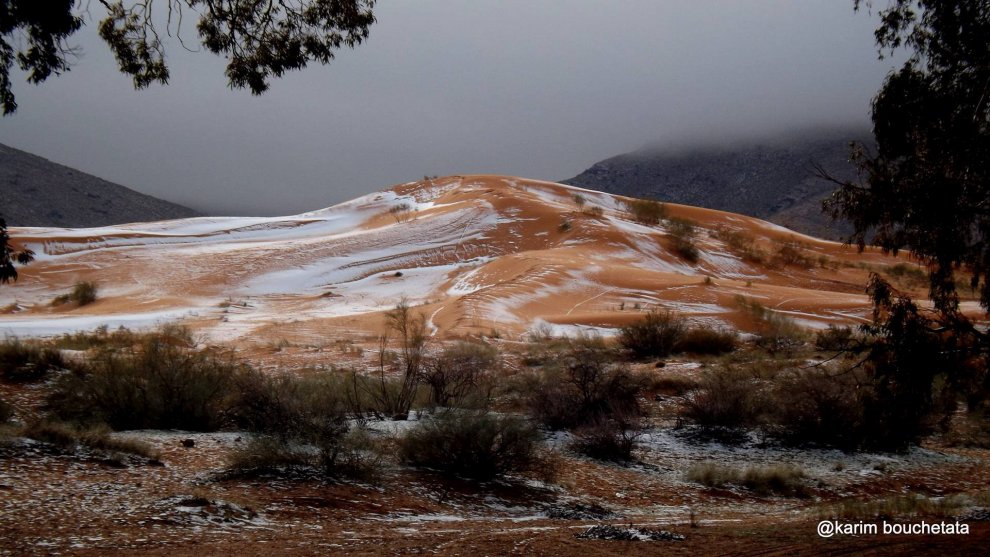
(725, 400)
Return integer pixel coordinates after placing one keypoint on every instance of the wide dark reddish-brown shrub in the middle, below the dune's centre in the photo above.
(586, 387)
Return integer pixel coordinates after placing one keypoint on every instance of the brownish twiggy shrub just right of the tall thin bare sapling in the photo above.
(460, 375)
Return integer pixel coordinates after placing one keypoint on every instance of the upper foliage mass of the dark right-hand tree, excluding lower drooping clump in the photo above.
(927, 186)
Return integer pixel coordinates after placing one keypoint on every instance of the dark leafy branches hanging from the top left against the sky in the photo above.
(260, 39)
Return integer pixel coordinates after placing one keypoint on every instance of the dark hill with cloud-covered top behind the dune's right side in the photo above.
(774, 180)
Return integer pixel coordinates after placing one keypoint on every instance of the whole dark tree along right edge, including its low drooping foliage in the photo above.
(926, 189)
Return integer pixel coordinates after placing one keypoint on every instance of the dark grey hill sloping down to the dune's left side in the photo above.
(37, 192)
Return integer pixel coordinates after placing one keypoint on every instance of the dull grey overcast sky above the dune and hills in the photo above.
(537, 89)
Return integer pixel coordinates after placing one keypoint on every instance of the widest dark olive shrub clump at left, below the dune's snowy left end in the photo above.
(163, 384)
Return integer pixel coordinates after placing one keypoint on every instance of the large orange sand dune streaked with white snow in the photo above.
(478, 253)
